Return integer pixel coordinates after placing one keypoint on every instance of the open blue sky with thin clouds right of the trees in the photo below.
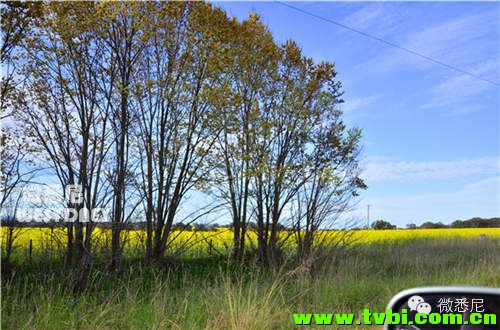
(430, 133)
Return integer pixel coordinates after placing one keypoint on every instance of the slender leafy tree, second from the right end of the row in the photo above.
(287, 114)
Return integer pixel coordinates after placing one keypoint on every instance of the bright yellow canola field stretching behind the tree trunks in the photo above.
(220, 240)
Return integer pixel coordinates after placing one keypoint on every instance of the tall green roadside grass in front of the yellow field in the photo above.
(208, 293)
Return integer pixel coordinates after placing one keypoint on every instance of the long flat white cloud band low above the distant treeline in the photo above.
(432, 170)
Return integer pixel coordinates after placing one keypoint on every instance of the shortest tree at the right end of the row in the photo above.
(333, 181)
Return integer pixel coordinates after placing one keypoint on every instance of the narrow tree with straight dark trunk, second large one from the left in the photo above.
(120, 31)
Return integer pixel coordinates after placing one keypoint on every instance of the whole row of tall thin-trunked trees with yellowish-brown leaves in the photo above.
(142, 103)
